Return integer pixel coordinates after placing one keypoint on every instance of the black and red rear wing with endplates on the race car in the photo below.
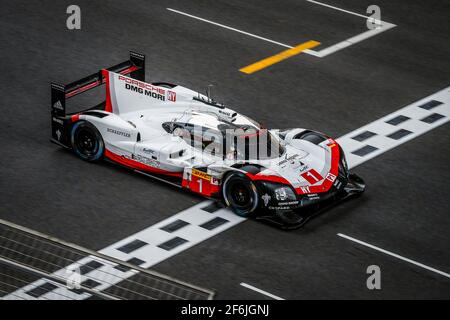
(134, 68)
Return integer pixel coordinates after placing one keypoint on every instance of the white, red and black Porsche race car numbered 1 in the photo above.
(185, 138)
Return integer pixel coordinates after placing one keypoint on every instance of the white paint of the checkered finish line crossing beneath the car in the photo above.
(417, 118)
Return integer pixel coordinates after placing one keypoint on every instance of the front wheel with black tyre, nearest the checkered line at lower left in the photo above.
(240, 194)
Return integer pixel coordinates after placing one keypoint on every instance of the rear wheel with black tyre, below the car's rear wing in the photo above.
(87, 142)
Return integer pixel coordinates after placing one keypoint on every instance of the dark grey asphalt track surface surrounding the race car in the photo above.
(405, 208)
